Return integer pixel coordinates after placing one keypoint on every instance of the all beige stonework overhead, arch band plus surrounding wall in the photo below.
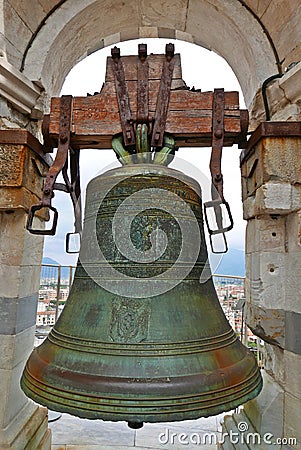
(74, 30)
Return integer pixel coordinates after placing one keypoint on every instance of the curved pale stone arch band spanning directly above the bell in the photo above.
(77, 29)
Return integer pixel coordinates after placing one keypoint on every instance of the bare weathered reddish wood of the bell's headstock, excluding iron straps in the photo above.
(95, 119)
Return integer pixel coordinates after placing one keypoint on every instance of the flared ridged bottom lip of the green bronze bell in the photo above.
(150, 409)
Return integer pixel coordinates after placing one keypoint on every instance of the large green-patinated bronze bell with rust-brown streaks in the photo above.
(142, 337)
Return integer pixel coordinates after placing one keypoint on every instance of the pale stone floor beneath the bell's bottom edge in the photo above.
(72, 433)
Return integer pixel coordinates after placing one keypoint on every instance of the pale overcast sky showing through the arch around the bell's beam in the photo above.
(202, 69)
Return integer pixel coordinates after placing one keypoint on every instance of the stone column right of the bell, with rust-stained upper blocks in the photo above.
(271, 179)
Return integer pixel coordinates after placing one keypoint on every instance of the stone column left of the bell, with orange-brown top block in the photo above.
(23, 424)
